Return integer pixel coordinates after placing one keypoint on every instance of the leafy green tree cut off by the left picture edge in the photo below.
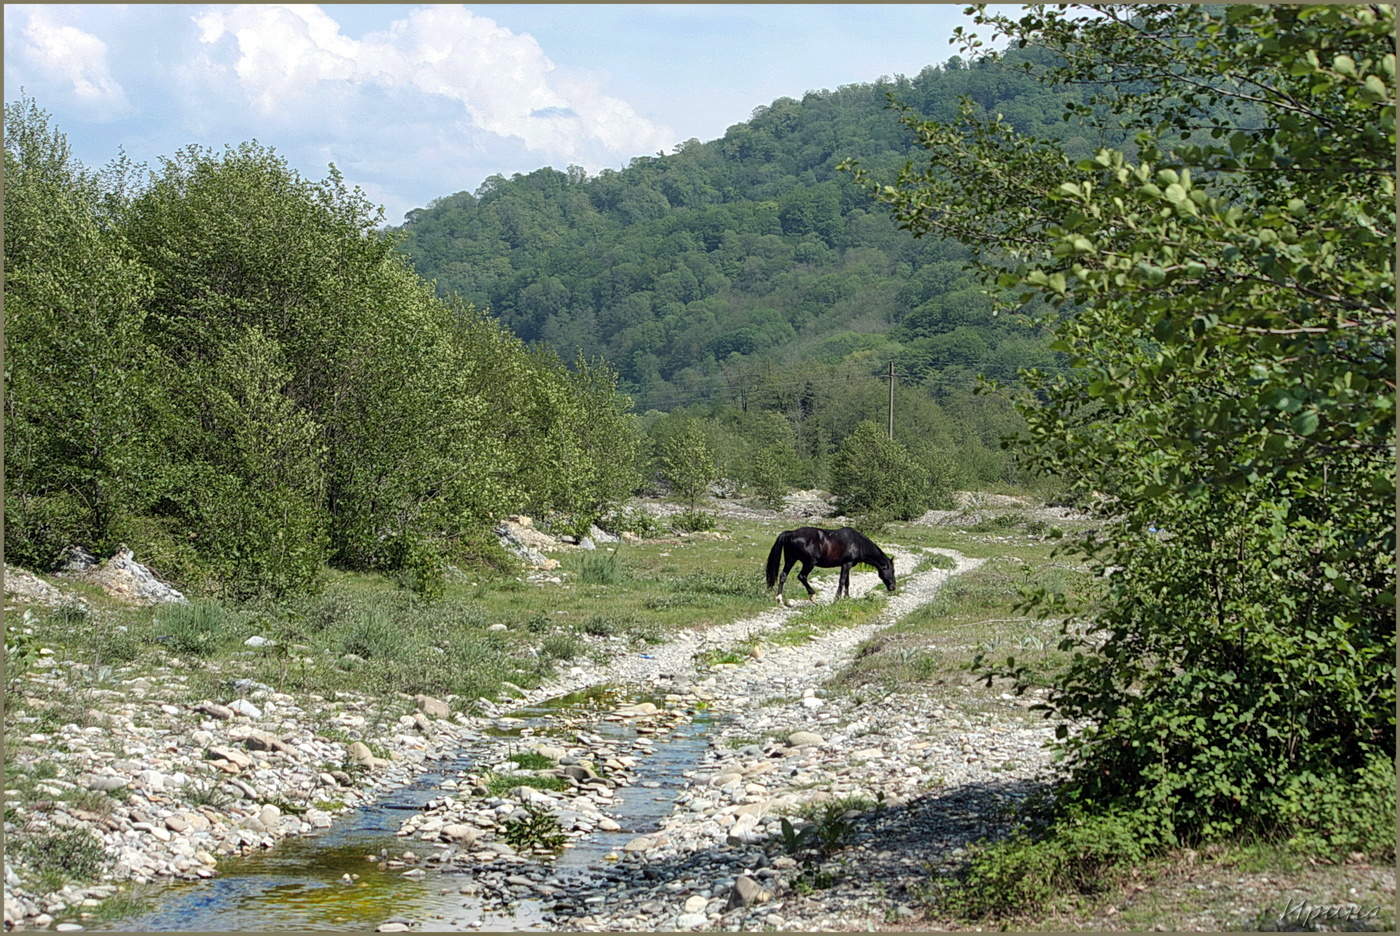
(75, 373)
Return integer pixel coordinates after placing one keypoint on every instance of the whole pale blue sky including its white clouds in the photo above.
(414, 103)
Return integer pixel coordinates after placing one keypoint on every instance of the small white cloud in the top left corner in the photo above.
(76, 61)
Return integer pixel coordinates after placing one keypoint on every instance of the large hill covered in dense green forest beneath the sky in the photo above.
(734, 255)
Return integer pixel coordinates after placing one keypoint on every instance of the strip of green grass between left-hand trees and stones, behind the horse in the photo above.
(365, 633)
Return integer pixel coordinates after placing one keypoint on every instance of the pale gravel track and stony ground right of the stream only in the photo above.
(916, 781)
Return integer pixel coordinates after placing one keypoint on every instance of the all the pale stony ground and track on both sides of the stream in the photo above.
(782, 745)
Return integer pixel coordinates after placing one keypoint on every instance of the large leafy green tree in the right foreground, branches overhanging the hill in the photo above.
(1226, 300)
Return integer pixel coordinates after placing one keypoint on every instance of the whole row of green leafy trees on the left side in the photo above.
(247, 395)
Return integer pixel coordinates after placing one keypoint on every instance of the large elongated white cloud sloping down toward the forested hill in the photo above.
(290, 59)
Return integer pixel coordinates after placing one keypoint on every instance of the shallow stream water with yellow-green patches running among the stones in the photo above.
(299, 885)
